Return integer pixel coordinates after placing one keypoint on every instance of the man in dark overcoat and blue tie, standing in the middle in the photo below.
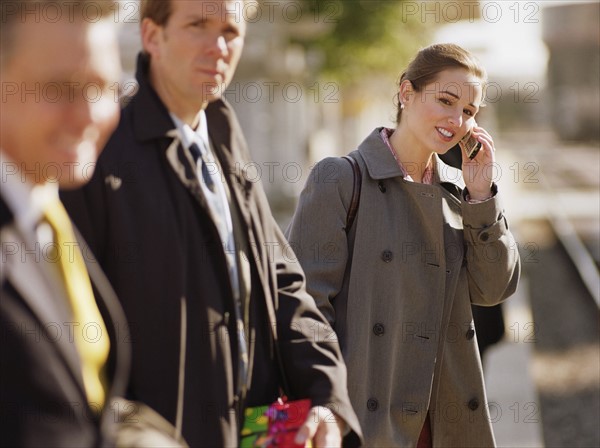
(218, 312)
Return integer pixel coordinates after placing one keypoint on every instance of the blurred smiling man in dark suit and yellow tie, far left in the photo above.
(60, 358)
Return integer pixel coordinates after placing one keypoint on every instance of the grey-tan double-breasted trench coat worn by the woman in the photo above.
(402, 313)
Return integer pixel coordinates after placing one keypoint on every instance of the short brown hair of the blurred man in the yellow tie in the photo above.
(15, 12)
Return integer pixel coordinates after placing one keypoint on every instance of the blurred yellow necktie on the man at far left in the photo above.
(89, 332)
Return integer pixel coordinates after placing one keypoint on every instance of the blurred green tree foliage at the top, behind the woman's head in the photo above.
(362, 38)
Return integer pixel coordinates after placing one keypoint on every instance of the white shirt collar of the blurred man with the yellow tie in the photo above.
(26, 201)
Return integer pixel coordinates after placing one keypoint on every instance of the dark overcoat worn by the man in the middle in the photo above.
(161, 251)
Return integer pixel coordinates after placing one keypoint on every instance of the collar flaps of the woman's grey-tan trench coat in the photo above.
(381, 164)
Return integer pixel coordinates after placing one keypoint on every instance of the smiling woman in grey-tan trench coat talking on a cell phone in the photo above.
(398, 246)
